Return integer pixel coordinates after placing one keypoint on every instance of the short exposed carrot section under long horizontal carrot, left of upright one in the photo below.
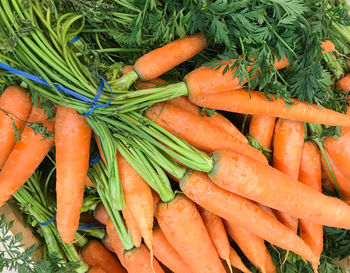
(262, 128)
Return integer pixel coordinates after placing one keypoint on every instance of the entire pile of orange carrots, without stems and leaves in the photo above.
(245, 198)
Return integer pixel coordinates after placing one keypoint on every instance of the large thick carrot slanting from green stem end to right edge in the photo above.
(251, 179)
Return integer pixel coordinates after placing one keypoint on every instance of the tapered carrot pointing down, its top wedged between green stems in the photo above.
(138, 198)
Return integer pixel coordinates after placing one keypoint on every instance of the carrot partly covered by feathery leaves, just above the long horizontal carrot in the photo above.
(207, 81)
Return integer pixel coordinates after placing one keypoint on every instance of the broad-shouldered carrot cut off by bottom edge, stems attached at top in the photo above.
(183, 227)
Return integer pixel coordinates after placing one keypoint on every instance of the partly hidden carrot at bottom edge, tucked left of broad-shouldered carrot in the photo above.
(166, 254)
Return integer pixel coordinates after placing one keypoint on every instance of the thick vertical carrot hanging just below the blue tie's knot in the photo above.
(73, 136)
